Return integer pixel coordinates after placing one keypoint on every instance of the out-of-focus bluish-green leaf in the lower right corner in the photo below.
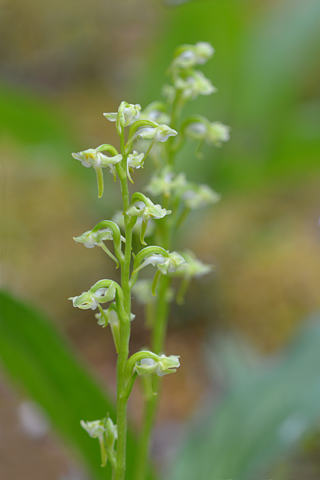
(259, 420)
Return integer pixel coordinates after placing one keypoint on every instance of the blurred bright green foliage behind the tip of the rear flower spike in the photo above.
(268, 86)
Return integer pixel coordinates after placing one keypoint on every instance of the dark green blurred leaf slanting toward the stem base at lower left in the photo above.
(38, 359)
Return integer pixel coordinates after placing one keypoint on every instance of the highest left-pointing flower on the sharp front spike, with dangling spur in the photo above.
(93, 157)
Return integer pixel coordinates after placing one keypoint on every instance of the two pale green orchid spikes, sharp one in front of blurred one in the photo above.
(152, 130)
